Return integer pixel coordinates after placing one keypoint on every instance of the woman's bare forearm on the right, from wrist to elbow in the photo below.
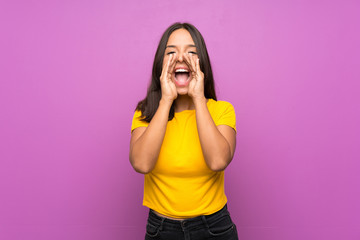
(215, 148)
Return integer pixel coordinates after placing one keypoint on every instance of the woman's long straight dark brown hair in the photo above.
(149, 105)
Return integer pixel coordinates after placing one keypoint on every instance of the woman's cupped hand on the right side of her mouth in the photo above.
(196, 85)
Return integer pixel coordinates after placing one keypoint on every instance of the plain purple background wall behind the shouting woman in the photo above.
(72, 72)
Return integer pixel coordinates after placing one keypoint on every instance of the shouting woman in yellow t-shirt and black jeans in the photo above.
(182, 140)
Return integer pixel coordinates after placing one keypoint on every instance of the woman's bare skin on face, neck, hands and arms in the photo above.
(217, 142)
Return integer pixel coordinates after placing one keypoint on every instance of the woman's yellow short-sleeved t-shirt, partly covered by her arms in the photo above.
(181, 185)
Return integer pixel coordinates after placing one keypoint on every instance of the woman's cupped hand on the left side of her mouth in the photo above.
(168, 88)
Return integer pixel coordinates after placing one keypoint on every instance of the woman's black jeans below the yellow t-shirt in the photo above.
(217, 226)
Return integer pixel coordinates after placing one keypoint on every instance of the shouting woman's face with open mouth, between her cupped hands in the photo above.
(180, 42)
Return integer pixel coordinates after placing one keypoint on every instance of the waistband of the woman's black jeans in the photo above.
(166, 223)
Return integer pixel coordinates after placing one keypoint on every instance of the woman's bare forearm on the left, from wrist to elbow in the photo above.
(146, 149)
